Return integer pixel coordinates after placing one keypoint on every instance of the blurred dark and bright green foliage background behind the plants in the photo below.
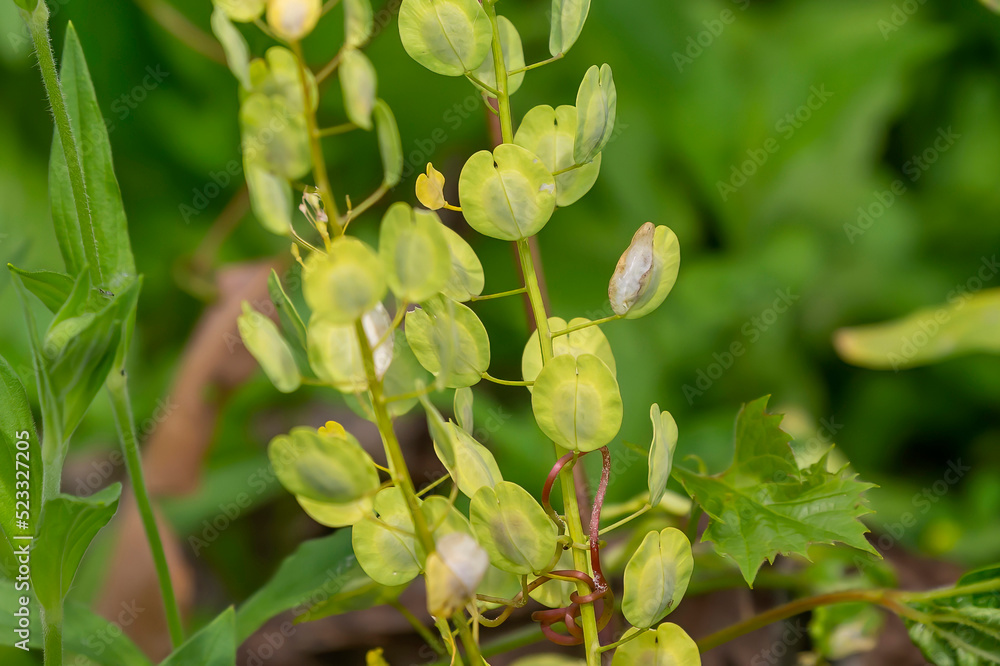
(700, 93)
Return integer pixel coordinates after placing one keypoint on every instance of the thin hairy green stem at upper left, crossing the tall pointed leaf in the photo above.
(38, 24)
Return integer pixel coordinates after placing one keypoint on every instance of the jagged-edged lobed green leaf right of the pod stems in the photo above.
(764, 504)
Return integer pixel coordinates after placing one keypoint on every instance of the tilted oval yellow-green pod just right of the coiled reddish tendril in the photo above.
(656, 577)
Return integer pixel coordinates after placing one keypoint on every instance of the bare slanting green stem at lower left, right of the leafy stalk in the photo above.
(122, 407)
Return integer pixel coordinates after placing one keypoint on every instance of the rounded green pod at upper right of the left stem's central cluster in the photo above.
(414, 251)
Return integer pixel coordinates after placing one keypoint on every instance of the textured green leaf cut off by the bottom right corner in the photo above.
(960, 628)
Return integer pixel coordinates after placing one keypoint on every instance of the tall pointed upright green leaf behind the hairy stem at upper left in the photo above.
(109, 232)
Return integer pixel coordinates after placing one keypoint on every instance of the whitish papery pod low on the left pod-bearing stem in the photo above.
(454, 571)
